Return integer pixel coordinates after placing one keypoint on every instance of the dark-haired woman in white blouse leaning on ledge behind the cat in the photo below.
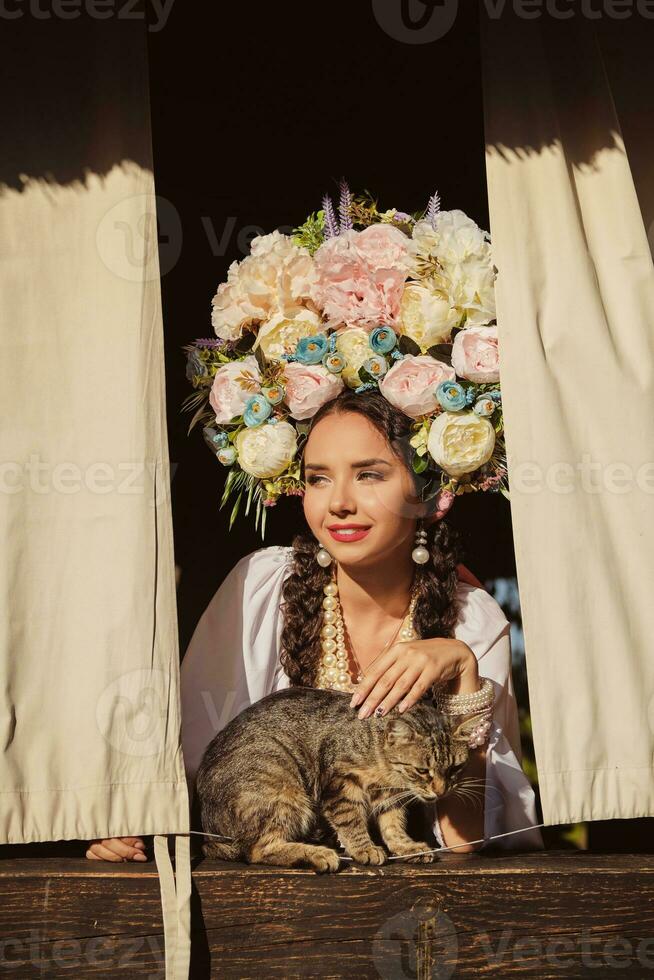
(262, 630)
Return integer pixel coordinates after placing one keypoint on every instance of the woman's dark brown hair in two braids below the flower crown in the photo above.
(436, 610)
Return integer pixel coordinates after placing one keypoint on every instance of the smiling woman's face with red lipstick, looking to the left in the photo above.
(353, 477)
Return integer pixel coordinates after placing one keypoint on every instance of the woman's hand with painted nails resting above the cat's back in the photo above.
(409, 668)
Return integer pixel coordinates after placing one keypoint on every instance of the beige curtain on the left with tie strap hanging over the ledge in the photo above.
(90, 712)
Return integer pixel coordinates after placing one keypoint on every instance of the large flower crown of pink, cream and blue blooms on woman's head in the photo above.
(367, 300)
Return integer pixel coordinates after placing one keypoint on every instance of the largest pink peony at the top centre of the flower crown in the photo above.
(361, 275)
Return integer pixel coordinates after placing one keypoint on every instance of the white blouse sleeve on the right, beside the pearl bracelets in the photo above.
(509, 799)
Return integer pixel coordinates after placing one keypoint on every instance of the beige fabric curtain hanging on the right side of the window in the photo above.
(576, 320)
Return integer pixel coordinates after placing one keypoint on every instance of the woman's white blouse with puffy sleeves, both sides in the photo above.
(233, 661)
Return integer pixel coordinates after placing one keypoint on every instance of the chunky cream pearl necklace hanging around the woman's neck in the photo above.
(333, 671)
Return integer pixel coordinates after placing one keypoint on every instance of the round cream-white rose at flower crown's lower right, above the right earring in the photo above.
(460, 442)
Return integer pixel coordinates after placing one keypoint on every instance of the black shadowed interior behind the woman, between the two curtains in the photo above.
(255, 114)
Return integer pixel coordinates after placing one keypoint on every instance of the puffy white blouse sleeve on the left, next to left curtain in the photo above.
(232, 659)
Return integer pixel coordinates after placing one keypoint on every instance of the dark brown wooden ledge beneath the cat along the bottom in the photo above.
(540, 914)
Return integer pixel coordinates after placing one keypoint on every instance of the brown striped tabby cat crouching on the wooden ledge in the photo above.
(299, 769)
